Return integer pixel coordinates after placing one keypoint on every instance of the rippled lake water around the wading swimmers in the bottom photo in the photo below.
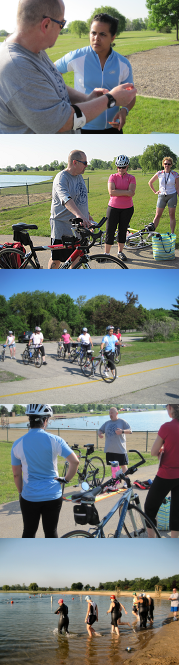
(28, 631)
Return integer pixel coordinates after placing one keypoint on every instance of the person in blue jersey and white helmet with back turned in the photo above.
(34, 466)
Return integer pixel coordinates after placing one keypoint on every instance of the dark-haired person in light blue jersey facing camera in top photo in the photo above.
(99, 66)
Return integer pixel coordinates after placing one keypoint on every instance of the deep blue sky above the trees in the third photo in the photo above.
(155, 288)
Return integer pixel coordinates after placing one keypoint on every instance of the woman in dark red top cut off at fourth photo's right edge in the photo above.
(166, 447)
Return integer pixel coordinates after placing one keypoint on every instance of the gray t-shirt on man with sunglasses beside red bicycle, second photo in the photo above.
(66, 185)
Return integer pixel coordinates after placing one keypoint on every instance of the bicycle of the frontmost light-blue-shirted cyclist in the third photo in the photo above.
(108, 373)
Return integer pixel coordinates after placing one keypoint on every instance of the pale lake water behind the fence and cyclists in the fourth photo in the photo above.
(139, 422)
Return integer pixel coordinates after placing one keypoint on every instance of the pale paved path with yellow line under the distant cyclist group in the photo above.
(61, 382)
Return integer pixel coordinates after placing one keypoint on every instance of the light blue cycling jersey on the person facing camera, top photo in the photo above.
(88, 74)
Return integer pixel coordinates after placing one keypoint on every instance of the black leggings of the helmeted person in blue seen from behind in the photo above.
(33, 510)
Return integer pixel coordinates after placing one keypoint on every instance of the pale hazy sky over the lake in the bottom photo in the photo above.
(50, 562)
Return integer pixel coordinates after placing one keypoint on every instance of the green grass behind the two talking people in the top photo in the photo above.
(149, 114)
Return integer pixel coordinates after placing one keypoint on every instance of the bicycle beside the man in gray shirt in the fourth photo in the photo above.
(91, 470)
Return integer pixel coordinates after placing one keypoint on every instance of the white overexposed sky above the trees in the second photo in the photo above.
(34, 150)
